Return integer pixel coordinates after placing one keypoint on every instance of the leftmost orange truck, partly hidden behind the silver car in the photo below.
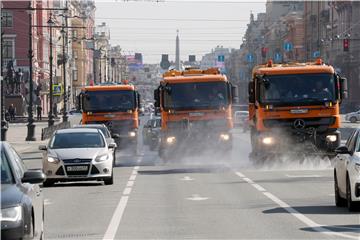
(116, 106)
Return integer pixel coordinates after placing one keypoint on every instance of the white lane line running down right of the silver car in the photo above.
(118, 214)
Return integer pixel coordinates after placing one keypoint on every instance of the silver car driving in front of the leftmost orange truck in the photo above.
(78, 154)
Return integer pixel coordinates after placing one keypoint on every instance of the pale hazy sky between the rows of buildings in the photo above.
(150, 27)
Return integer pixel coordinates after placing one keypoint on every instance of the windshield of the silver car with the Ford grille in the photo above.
(77, 140)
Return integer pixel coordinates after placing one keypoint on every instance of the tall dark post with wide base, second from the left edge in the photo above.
(30, 126)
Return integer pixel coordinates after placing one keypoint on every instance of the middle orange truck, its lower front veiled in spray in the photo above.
(196, 112)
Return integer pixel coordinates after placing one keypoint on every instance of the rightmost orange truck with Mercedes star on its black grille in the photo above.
(295, 107)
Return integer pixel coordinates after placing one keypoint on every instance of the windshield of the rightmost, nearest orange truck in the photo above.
(299, 89)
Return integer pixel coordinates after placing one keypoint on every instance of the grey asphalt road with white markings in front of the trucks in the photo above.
(200, 197)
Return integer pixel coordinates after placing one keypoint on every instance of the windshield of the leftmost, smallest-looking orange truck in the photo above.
(108, 101)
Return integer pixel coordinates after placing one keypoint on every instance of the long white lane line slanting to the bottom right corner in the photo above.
(310, 223)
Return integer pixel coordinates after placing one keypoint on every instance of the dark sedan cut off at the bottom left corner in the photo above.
(22, 205)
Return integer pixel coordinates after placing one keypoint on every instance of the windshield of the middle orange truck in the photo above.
(209, 95)
